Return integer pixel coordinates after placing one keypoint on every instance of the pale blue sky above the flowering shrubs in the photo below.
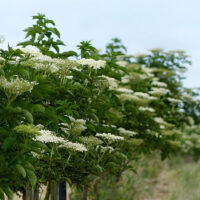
(140, 24)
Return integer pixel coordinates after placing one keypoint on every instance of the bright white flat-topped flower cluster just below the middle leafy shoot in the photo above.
(92, 63)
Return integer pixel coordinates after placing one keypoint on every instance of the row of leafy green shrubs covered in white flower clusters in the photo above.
(79, 116)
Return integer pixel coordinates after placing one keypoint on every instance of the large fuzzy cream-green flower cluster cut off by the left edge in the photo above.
(16, 86)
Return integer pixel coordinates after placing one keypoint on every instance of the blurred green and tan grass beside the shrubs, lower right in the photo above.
(174, 179)
